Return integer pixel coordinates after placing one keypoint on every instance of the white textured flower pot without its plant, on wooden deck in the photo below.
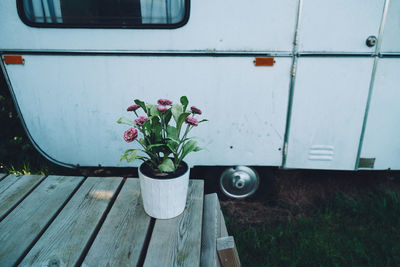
(164, 198)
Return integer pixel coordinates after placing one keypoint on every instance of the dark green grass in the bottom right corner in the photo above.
(343, 231)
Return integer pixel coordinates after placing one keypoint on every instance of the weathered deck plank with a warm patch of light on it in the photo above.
(66, 238)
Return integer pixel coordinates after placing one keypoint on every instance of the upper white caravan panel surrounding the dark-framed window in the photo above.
(259, 25)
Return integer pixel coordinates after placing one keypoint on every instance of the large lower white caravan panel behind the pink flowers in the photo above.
(71, 104)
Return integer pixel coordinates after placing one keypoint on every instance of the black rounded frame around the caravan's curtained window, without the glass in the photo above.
(25, 20)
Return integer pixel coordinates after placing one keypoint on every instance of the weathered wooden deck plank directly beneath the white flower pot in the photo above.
(177, 241)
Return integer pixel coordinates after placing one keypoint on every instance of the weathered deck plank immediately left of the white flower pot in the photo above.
(121, 238)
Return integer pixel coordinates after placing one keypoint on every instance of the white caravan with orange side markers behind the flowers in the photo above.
(292, 83)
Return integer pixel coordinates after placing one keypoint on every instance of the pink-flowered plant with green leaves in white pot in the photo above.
(162, 132)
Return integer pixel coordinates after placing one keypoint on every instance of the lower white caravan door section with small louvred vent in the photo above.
(328, 109)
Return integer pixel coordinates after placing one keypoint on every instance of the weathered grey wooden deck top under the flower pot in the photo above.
(92, 221)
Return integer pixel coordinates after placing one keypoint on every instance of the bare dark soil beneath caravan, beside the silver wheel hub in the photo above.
(286, 195)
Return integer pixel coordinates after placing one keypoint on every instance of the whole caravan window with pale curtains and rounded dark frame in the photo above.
(104, 13)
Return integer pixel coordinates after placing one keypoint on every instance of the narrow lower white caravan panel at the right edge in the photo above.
(382, 133)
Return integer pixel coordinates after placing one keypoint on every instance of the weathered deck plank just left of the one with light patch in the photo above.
(20, 228)
